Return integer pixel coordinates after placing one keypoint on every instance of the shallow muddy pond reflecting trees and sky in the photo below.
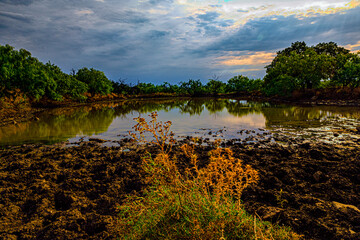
(207, 118)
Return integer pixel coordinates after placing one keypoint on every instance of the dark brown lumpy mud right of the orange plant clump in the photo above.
(312, 187)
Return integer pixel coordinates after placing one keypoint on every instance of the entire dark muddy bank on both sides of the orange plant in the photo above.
(72, 192)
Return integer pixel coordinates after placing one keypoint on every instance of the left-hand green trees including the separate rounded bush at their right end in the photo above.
(19, 70)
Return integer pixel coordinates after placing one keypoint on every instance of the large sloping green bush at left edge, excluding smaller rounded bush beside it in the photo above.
(19, 70)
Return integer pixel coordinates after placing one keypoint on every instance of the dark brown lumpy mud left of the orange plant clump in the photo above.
(53, 192)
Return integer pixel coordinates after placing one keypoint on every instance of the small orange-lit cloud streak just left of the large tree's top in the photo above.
(257, 58)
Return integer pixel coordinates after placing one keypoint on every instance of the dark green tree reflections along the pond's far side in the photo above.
(63, 123)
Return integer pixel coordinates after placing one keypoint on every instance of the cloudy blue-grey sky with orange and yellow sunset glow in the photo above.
(173, 40)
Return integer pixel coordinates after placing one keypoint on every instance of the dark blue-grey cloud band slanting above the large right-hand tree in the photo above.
(277, 32)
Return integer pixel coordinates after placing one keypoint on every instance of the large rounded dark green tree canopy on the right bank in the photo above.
(303, 67)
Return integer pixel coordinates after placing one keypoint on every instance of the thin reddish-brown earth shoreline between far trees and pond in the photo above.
(23, 112)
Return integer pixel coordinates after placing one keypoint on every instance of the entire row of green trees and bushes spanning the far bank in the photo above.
(297, 67)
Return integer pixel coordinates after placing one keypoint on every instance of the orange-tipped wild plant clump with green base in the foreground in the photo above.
(198, 204)
